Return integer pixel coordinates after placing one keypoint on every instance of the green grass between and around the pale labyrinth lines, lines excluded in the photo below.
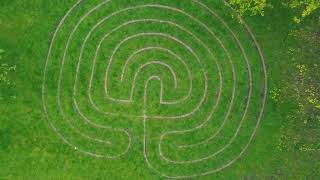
(31, 149)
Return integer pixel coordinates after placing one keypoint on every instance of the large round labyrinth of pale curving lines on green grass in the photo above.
(181, 82)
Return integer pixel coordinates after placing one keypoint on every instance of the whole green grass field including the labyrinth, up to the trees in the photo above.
(148, 89)
